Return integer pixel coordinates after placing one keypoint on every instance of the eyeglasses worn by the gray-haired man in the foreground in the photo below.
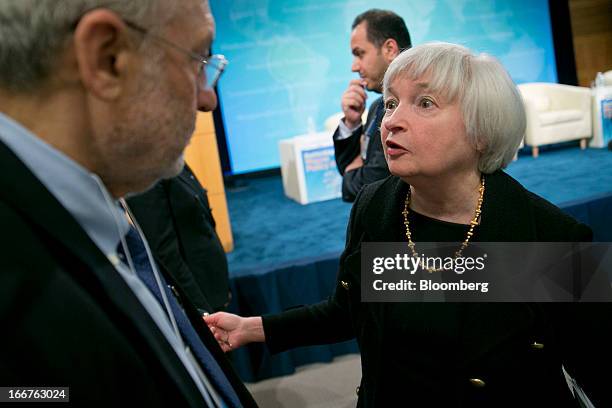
(209, 68)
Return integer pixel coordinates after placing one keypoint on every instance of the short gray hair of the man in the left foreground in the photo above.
(34, 32)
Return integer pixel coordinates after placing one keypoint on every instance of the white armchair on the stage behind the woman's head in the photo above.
(556, 113)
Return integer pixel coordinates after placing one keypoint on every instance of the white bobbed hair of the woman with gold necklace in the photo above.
(492, 106)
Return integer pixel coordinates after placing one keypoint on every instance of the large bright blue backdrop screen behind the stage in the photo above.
(290, 59)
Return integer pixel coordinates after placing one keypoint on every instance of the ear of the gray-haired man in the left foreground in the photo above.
(102, 53)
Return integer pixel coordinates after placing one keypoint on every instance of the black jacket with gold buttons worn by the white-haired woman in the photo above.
(426, 353)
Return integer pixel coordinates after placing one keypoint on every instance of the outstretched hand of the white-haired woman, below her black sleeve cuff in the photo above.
(232, 331)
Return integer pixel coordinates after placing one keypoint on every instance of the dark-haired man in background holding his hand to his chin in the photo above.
(378, 36)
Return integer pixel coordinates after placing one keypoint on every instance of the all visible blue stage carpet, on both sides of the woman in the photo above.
(273, 232)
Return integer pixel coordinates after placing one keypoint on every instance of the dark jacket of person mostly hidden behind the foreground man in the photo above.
(177, 220)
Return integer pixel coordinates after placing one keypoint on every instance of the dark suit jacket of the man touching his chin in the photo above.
(374, 166)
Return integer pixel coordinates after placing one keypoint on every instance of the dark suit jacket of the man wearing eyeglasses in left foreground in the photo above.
(69, 319)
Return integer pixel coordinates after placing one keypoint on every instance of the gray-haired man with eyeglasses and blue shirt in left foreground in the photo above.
(97, 101)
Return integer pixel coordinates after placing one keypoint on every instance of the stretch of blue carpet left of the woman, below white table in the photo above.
(271, 230)
